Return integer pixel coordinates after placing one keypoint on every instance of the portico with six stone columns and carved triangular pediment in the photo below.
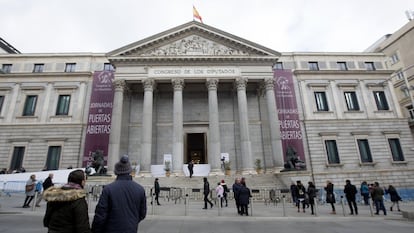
(195, 92)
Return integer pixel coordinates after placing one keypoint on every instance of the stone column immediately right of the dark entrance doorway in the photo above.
(214, 149)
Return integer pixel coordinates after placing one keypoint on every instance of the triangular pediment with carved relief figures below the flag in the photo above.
(193, 40)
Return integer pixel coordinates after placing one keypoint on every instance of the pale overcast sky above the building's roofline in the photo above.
(45, 26)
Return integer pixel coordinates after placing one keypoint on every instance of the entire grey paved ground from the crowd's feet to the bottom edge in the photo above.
(189, 217)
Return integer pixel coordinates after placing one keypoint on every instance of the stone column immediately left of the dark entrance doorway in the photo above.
(177, 156)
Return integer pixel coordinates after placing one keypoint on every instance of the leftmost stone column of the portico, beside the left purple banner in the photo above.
(116, 123)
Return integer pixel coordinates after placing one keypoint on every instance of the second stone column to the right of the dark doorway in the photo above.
(246, 150)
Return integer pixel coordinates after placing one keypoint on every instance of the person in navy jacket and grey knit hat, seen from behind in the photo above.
(122, 204)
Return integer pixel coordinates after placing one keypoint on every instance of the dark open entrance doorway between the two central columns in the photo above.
(196, 148)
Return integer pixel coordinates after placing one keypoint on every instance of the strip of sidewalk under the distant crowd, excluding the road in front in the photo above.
(258, 209)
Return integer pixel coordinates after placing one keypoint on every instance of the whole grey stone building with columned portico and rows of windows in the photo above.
(195, 92)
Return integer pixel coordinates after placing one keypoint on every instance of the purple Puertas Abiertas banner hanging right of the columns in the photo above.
(290, 130)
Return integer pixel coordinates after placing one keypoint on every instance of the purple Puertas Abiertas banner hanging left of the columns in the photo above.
(99, 118)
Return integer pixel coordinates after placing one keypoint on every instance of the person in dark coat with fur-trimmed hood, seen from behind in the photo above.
(67, 209)
